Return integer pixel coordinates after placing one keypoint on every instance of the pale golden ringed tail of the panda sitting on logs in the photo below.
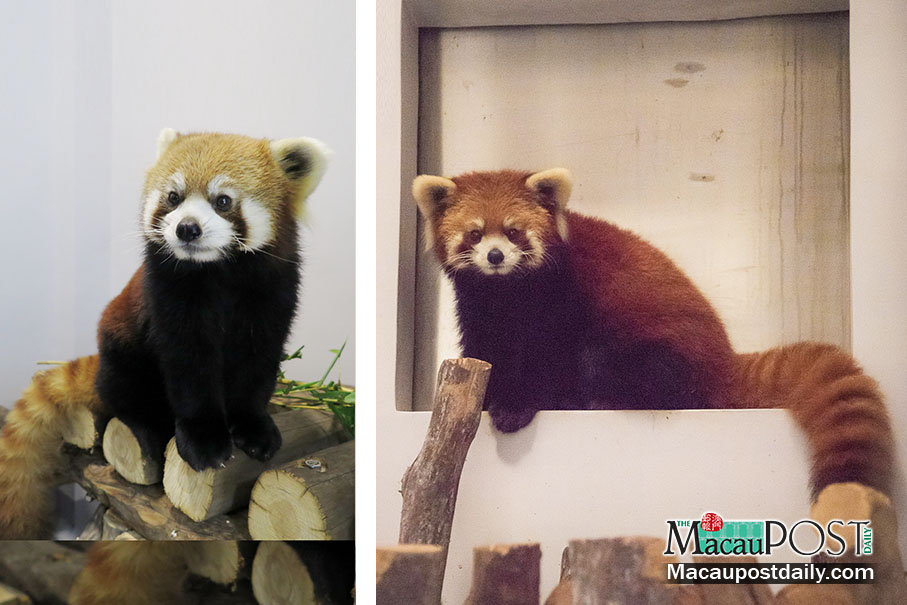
(30, 443)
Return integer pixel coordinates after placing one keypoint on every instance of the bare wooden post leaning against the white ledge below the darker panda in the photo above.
(430, 484)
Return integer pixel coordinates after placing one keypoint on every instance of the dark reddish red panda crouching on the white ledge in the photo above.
(576, 313)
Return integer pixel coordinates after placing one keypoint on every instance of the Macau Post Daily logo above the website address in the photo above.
(712, 535)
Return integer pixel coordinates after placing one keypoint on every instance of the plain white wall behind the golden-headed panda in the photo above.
(86, 88)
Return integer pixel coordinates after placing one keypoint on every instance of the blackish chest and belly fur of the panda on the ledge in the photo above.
(551, 348)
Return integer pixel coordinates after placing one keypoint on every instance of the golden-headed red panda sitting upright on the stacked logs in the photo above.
(191, 346)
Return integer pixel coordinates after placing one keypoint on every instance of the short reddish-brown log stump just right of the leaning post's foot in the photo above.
(506, 574)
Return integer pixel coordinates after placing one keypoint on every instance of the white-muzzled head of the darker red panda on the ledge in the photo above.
(495, 223)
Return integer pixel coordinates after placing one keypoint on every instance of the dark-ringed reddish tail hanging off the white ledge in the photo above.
(838, 406)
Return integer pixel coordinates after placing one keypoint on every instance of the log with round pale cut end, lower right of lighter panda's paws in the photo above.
(298, 502)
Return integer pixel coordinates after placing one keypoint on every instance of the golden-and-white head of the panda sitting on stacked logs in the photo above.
(210, 196)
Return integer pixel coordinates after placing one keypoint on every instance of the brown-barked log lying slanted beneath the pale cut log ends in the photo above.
(148, 511)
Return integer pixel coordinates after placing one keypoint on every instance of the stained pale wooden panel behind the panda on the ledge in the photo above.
(724, 143)
